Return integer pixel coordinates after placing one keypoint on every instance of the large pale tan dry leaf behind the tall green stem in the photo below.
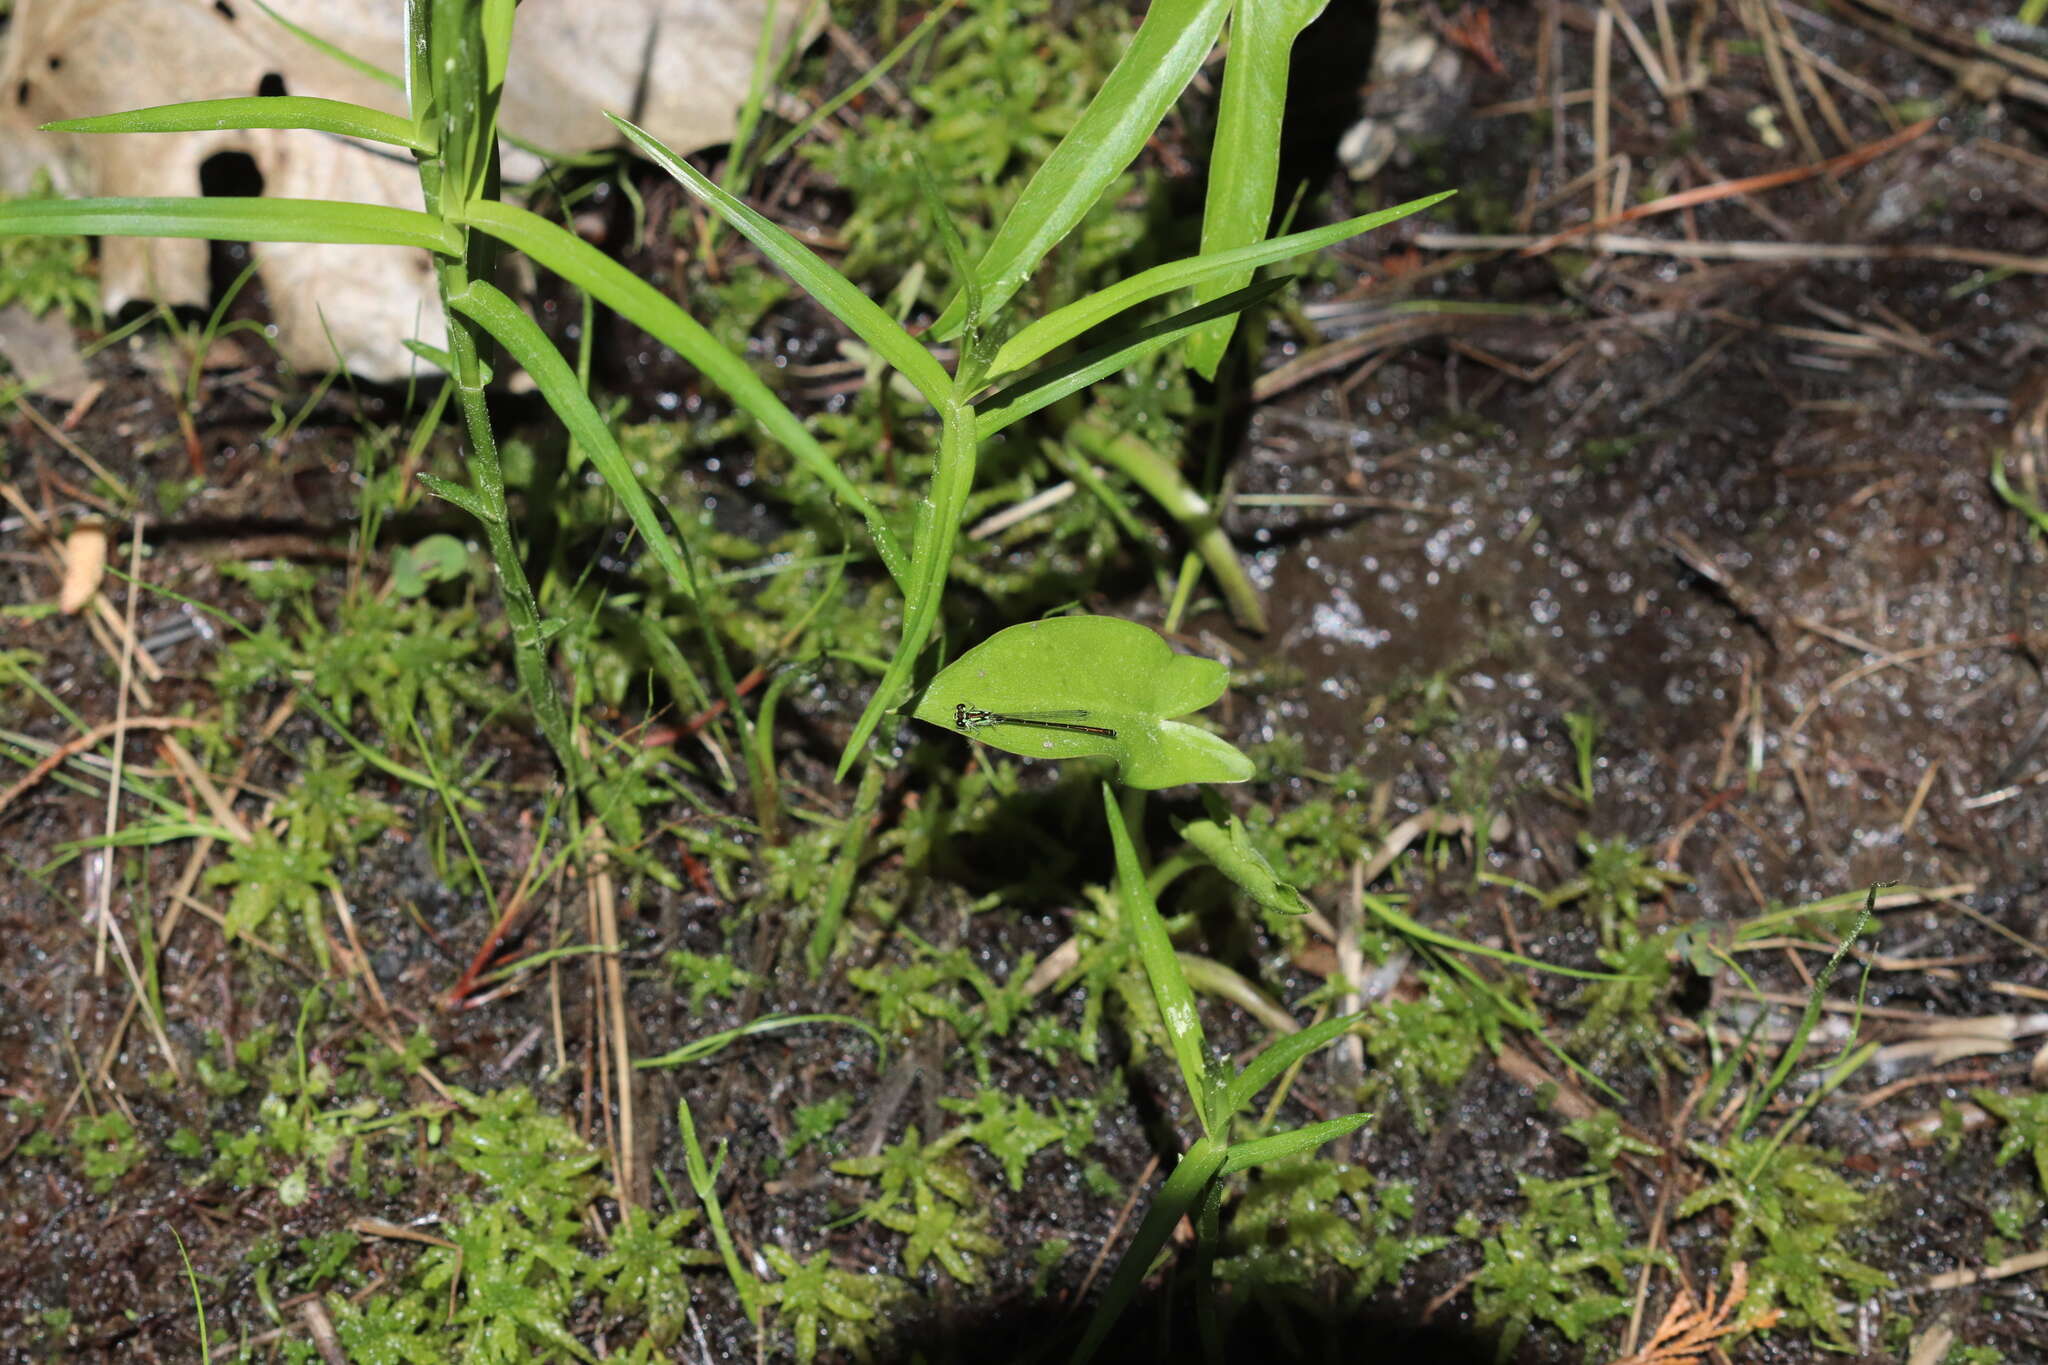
(570, 62)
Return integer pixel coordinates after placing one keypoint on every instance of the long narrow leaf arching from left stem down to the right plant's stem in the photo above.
(660, 318)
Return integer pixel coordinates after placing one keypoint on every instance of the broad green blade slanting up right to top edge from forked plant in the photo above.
(1113, 130)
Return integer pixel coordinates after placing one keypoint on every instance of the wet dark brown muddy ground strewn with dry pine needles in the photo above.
(1736, 511)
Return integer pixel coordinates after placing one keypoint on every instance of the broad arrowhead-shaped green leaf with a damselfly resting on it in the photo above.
(1119, 674)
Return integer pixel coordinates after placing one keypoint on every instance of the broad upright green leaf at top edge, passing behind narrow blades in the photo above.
(1244, 161)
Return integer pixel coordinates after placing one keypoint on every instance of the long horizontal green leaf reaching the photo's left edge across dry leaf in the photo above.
(232, 220)
